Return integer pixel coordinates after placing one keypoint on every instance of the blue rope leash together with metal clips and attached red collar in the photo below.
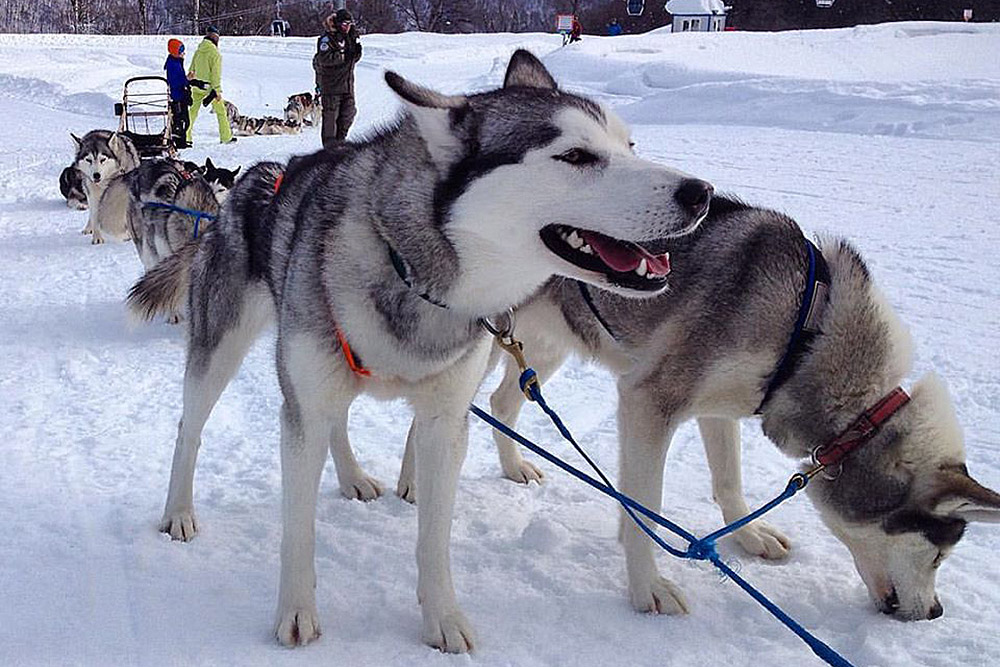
(703, 548)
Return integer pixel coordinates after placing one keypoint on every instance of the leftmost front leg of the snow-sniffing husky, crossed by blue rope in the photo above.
(645, 430)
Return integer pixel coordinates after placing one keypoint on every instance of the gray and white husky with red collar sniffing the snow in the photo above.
(709, 348)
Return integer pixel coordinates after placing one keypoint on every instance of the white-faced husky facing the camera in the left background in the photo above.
(100, 156)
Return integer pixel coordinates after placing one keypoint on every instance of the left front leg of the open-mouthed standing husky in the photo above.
(315, 392)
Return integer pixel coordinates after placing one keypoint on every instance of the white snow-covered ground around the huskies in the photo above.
(889, 135)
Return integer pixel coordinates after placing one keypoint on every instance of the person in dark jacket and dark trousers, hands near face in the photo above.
(337, 51)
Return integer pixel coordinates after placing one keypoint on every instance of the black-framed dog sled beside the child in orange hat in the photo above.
(145, 116)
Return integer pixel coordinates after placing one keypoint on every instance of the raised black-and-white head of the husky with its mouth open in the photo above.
(534, 181)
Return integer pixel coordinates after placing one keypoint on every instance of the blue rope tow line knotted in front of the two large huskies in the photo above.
(698, 549)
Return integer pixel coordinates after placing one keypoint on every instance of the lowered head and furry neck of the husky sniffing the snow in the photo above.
(901, 501)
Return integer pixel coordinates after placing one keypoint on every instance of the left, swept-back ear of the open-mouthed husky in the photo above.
(432, 112)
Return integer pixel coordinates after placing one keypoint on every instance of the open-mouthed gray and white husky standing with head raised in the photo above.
(397, 246)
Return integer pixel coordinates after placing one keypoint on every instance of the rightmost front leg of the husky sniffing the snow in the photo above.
(721, 438)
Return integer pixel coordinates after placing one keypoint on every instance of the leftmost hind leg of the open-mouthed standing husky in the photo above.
(214, 355)
